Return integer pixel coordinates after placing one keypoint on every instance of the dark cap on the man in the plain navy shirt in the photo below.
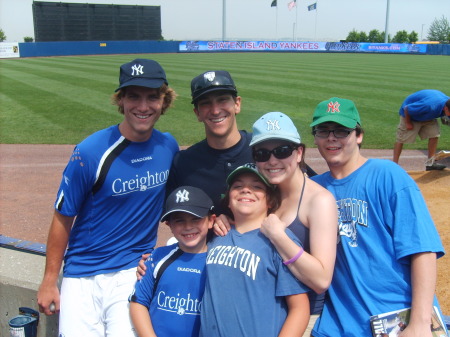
(209, 81)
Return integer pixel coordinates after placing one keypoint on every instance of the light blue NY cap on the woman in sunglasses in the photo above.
(275, 125)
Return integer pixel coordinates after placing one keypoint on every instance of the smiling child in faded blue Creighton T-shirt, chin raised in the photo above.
(249, 290)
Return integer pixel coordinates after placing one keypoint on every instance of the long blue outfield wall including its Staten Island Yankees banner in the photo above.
(42, 49)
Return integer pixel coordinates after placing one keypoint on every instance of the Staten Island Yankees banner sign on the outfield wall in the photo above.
(225, 46)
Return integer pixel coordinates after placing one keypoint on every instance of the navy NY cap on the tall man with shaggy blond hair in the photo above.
(142, 73)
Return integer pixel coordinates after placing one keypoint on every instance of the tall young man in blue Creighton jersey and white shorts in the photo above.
(107, 209)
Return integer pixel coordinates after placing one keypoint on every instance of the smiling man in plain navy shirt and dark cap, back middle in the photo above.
(207, 163)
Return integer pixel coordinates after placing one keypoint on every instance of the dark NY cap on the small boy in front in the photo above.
(190, 200)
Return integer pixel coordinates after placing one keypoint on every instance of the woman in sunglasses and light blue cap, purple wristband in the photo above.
(307, 209)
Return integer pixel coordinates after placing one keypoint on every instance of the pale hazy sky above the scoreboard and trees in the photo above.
(256, 20)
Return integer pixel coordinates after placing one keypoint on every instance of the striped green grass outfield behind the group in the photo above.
(61, 100)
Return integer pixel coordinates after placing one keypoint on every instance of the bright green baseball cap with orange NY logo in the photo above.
(337, 110)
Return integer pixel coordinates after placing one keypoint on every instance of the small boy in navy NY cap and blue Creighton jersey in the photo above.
(167, 300)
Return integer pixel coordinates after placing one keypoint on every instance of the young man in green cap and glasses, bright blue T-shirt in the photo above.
(384, 228)
